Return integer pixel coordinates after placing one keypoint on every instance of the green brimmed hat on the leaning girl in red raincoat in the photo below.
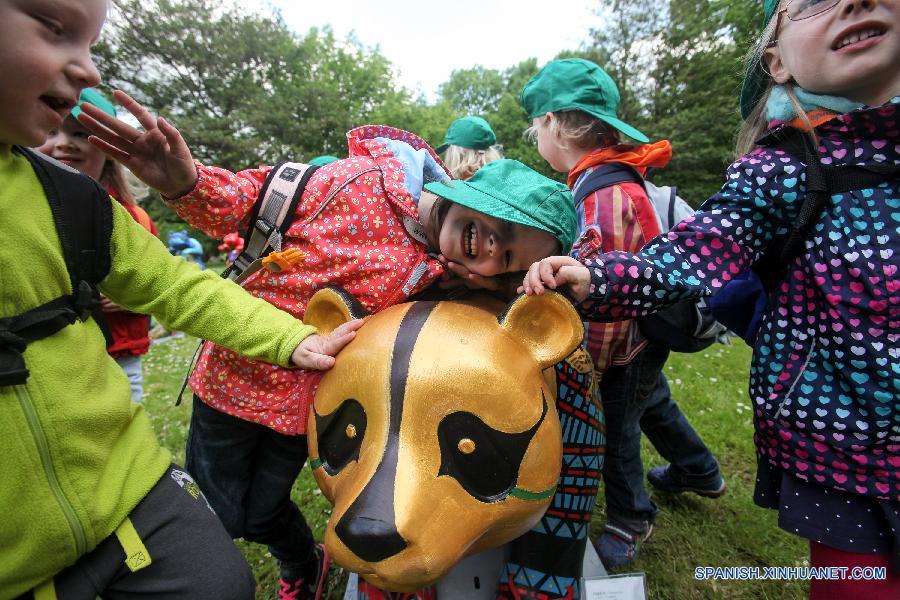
(508, 190)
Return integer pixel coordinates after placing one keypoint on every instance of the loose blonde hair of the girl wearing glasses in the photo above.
(756, 124)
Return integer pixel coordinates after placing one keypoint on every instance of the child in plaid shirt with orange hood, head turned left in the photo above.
(572, 104)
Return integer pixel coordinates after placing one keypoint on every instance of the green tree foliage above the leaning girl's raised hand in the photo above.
(242, 87)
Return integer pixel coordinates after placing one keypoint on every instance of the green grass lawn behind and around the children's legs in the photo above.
(691, 531)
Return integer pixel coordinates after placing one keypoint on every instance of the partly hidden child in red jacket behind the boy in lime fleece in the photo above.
(128, 332)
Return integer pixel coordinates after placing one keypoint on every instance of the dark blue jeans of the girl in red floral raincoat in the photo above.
(246, 471)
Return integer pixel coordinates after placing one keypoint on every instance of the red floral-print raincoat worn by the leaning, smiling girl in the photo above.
(350, 225)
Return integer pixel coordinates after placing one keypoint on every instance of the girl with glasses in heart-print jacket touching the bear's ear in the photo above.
(820, 159)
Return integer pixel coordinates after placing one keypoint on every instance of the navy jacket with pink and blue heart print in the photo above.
(824, 379)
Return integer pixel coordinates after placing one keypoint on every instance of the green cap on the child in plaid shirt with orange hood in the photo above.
(575, 83)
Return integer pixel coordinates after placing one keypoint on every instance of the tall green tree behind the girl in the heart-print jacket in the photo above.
(678, 64)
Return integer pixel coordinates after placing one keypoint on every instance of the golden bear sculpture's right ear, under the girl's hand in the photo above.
(548, 325)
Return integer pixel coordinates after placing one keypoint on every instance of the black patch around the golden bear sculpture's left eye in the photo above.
(340, 435)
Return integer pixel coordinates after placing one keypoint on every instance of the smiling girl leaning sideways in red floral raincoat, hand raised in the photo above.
(381, 224)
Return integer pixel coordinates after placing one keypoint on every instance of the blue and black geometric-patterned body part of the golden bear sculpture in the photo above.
(547, 561)
